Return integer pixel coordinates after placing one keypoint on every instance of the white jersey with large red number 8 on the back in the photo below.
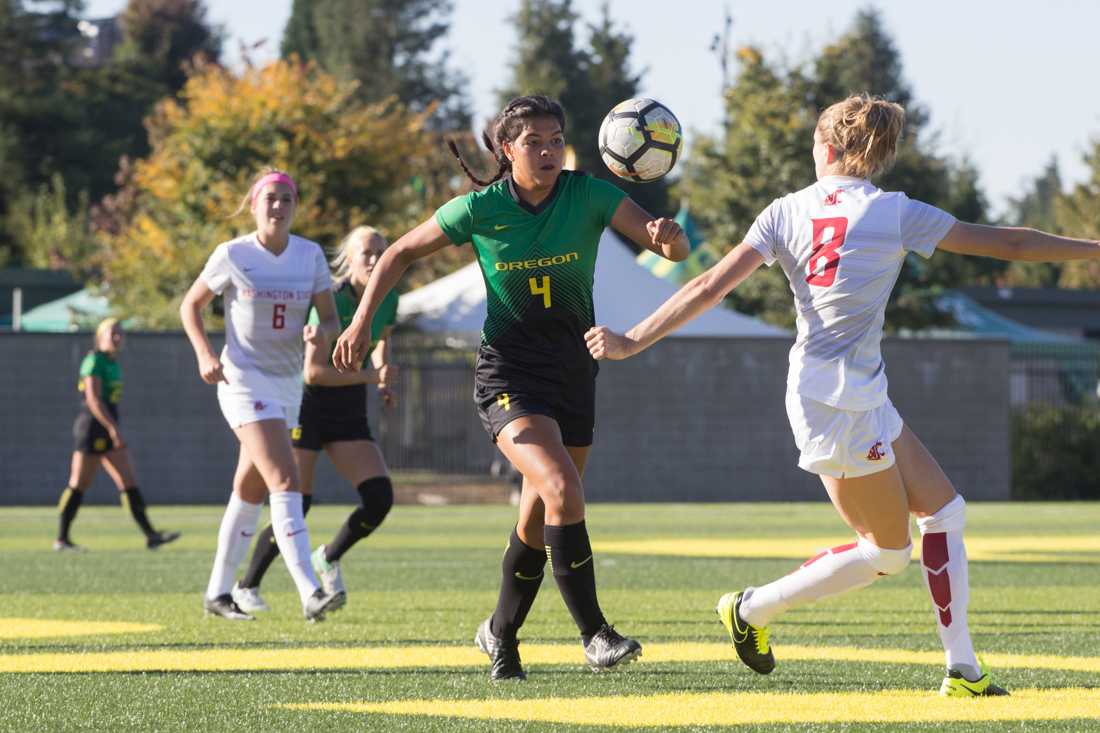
(842, 244)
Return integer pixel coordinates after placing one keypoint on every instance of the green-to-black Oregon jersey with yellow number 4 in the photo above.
(538, 265)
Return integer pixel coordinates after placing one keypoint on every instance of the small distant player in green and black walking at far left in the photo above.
(96, 440)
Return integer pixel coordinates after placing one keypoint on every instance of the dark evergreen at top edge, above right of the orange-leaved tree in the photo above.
(387, 46)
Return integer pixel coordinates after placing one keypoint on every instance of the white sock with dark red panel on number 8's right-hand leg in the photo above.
(945, 571)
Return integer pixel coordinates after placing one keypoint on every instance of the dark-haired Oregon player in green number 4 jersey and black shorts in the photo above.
(535, 231)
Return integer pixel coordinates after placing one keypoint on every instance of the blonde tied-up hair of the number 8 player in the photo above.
(865, 130)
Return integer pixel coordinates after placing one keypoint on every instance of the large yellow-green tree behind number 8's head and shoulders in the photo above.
(764, 152)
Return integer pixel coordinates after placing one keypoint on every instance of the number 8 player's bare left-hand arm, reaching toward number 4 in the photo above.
(699, 296)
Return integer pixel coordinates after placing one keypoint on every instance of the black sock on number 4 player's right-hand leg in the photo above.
(570, 555)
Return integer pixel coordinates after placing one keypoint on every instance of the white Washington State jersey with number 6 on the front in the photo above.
(267, 299)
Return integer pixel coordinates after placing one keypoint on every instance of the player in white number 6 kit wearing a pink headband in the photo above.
(269, 281)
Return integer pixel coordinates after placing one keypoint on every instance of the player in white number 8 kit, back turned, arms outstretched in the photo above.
(842, 244)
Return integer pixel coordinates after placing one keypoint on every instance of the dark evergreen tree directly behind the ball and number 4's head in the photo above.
(588, 81)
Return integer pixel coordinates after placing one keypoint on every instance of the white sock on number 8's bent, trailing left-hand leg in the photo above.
(835, 571)
